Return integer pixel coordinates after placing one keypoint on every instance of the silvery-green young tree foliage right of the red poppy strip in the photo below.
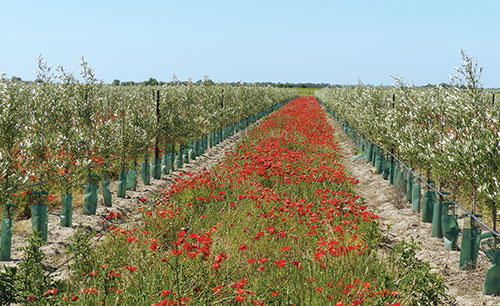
(452, 133)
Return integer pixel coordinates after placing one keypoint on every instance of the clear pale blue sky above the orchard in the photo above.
(279, 41)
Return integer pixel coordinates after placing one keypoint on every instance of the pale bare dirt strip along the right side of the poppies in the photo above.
(465, 286)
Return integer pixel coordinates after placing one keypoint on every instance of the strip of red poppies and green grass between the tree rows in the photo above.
(275, 223)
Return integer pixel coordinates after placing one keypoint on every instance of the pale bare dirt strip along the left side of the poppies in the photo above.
(56, 260)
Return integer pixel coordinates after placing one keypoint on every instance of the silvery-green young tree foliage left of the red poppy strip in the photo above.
(61, 126)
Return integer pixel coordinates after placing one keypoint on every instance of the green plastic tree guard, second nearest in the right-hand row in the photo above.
(471, 237)
